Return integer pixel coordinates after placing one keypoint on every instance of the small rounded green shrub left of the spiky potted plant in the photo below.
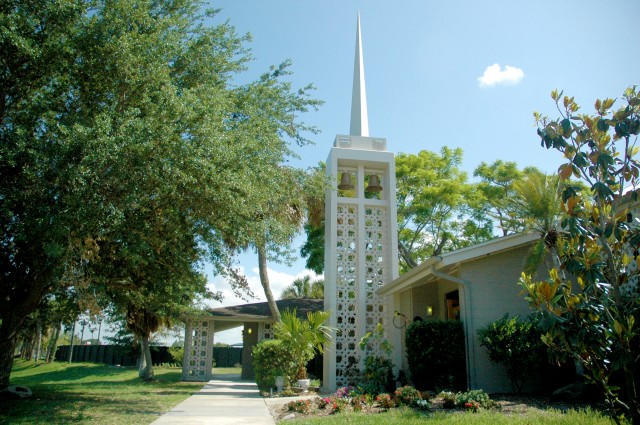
(271, 359)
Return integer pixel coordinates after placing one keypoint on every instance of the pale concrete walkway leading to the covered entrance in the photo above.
(226, 399)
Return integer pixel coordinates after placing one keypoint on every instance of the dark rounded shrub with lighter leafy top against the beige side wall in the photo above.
(516, 345)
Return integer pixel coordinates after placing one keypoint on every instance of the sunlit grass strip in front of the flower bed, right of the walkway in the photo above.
(409, 417)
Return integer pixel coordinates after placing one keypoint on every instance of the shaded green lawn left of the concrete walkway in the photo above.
(94, 393)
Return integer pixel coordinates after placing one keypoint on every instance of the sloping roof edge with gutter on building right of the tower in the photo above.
(453, 258)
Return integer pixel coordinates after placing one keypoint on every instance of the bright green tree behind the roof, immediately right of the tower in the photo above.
(437, 208)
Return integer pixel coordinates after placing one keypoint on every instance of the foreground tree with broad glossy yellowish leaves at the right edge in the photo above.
(590, 312)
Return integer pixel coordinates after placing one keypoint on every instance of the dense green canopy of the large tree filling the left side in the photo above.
(112, 113)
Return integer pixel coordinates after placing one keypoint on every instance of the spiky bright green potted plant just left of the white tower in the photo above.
(303, 338)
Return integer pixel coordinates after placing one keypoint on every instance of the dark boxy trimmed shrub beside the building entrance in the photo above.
(436, 356)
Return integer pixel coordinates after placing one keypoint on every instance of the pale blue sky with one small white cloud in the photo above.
(423, 66)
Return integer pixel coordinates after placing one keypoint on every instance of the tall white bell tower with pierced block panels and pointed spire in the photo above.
(361, 246)
